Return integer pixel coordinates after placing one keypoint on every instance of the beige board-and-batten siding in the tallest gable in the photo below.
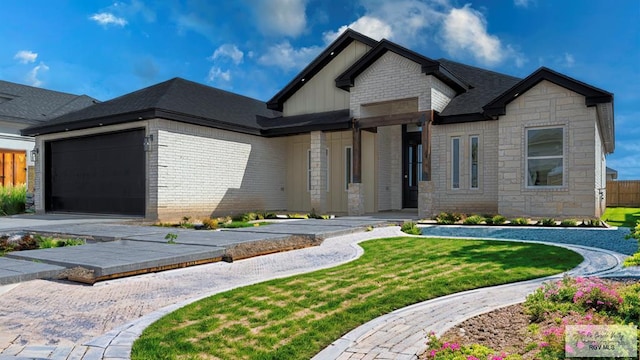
(320, 94)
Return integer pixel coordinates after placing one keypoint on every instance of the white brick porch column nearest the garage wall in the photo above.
(318, 175)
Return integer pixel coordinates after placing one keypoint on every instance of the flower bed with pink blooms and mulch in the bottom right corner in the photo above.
(547, 312)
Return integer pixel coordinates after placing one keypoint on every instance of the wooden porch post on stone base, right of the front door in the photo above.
(426, 187)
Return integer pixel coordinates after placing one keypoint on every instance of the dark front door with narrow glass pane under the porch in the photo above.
(412, 168)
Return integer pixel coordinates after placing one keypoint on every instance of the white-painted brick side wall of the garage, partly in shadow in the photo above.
(204, 171)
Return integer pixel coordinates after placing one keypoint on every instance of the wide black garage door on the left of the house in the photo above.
(96, 174)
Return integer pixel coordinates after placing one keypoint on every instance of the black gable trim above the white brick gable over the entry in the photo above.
(429, 66)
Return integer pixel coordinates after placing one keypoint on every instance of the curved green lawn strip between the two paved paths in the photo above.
(296, 317)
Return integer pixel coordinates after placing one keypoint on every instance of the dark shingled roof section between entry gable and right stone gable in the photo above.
(485, 85)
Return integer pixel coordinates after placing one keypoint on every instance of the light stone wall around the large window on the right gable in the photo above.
(547, 104)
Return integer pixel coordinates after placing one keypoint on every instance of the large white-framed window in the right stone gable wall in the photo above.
(545, 157)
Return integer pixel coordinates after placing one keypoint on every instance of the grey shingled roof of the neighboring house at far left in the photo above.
(30, 105)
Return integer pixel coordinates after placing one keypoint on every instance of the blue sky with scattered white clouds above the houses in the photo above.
(254, 47)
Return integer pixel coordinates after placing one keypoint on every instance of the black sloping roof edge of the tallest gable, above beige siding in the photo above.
(346, 38)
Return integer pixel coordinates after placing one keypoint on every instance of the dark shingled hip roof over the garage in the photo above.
(176, 99)
